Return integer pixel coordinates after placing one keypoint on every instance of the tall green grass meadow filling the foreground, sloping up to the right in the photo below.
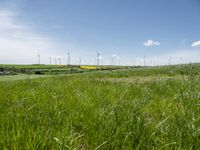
(140, 108)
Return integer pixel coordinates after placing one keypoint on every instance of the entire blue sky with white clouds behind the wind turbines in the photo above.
(125, 29)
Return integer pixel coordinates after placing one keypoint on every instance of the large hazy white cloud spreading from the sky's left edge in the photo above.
(20, 43)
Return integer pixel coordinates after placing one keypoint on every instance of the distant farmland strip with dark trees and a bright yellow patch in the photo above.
(52, 69)
